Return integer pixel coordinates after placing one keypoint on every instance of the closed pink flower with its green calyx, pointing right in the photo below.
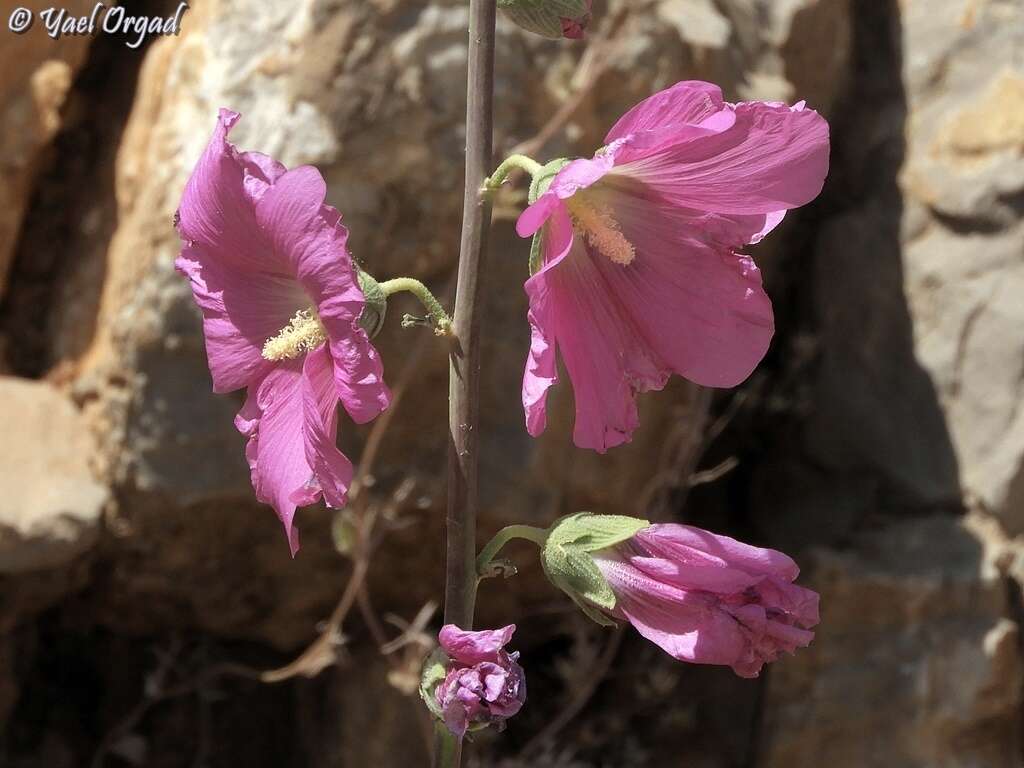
(701, 598)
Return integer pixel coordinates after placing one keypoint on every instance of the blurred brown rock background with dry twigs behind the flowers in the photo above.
(145, 595)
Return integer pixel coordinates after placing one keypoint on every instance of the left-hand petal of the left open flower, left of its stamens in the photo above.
(242, 309)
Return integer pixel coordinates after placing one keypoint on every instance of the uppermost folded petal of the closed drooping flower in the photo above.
(672, 541)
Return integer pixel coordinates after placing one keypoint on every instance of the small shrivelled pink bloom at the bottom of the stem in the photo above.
(483, 685)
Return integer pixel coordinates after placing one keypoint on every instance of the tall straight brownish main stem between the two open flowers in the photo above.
(460, 587)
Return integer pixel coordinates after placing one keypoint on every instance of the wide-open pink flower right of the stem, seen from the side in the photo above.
(641, 275)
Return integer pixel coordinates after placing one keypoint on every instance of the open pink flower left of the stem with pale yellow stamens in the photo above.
(281, 305)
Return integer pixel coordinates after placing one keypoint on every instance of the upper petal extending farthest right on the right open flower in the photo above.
(773, 159)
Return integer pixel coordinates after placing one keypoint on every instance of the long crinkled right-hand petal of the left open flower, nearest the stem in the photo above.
(311, 235)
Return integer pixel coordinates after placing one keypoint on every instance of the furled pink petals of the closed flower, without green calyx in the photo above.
(709, 600)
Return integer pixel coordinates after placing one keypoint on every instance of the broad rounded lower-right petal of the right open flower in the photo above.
(699, 309)
